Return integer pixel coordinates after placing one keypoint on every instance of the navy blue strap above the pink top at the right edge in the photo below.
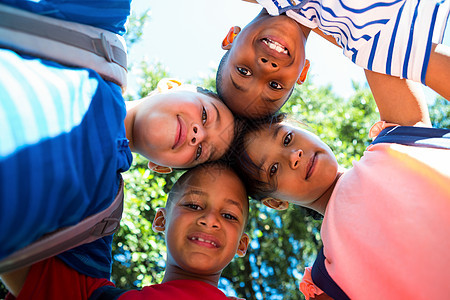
(415, 136)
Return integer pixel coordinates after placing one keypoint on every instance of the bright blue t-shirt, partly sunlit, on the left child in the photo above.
(63, 141)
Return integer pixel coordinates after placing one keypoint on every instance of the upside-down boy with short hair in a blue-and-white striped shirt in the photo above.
(264, 61)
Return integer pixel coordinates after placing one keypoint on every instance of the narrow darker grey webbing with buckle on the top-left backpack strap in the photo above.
(100, 46)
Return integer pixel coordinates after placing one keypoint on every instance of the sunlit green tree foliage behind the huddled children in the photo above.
(283, 243)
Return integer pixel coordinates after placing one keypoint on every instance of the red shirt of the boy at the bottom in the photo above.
(52, 279)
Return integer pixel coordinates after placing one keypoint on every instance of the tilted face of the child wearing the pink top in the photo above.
(297, 162)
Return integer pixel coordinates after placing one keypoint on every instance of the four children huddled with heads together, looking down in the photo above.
(385, 220)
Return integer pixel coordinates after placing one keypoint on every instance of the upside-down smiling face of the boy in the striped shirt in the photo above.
(264, 62)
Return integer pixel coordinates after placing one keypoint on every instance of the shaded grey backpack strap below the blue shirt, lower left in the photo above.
(101, 224)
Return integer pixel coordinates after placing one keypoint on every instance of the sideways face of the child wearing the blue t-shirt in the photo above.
(183, 128)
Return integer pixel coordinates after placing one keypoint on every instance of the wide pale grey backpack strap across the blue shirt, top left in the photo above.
(68, 43)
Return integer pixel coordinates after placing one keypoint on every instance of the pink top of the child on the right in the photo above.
(386, 230)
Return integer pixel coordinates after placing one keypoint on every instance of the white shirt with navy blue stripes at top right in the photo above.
(392, 37)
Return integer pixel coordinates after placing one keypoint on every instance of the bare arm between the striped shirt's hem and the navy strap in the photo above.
(399, 101)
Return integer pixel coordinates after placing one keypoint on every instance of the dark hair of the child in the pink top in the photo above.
(248, 170)
